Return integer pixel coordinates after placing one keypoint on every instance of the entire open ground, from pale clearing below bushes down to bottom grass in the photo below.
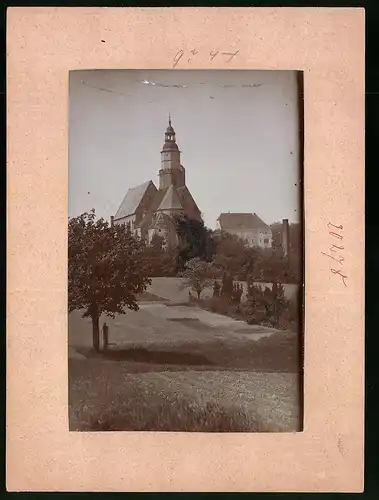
(180, 368)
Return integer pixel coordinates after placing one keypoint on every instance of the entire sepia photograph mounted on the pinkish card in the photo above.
(185, 251)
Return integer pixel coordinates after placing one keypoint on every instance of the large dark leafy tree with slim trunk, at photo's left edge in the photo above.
(106, 269)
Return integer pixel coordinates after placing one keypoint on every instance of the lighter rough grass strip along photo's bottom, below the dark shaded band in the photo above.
(107, 396)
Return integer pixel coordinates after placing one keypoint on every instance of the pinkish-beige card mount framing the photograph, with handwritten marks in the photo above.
(43, 45)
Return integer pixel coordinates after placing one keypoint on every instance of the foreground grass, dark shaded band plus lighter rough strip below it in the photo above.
(207, 387)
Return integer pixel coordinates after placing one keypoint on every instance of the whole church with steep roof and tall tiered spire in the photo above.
(150, 210)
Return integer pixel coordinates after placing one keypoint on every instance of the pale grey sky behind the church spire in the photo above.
(237, 131)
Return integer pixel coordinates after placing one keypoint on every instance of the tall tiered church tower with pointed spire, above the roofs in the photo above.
(172, 173)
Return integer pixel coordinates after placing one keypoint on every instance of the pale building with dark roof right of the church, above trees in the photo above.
(247, 226)
